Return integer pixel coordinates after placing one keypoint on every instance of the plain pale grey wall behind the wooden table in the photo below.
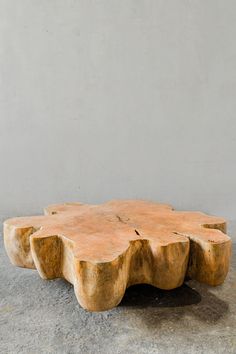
(118, 99)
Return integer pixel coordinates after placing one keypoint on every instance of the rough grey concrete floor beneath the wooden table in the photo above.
(38, 316)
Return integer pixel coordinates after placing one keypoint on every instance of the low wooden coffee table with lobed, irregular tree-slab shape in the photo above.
(103, 249)
